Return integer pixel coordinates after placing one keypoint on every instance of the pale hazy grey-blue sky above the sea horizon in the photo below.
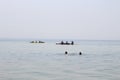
(60, 19)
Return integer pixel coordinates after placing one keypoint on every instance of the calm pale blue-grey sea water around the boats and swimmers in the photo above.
(21, 60)
